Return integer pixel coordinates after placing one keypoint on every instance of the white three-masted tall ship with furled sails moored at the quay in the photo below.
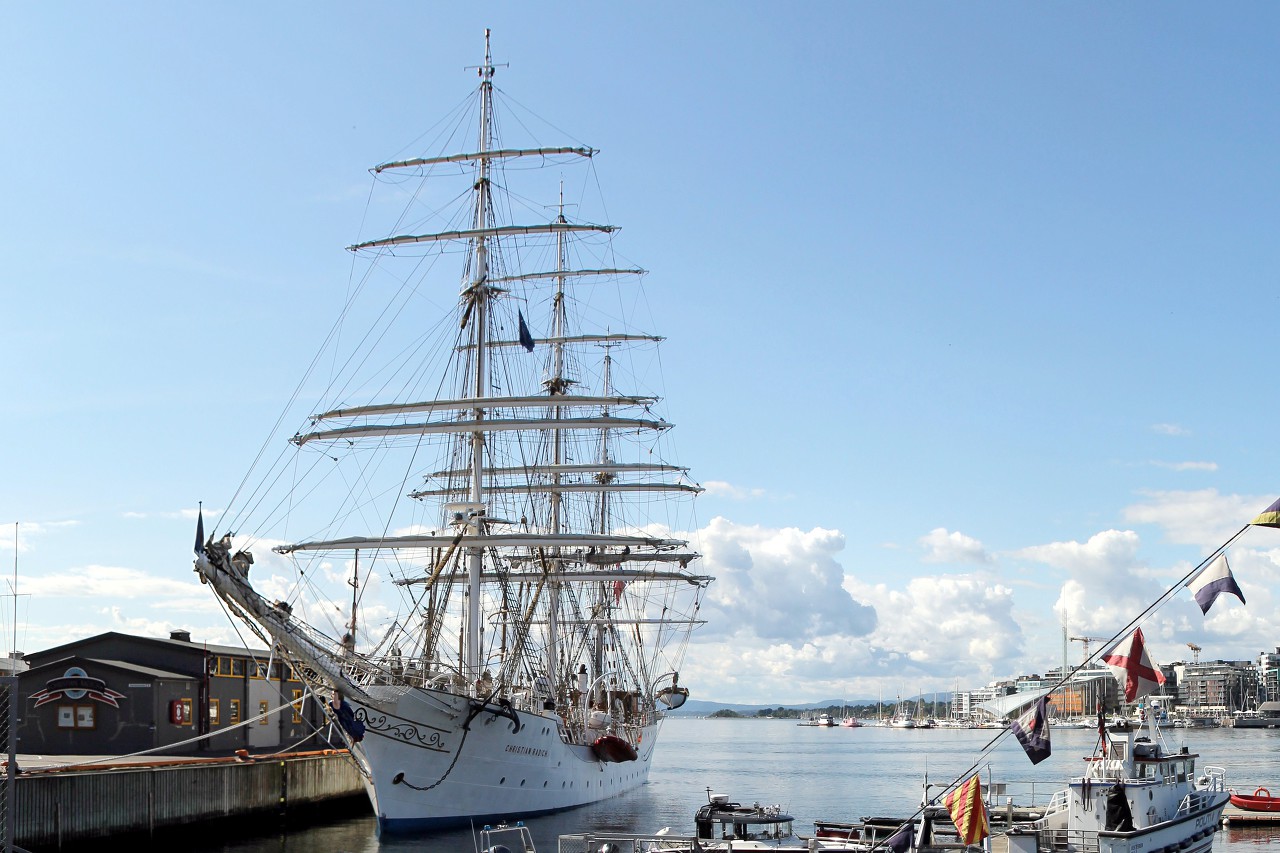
(511, 490)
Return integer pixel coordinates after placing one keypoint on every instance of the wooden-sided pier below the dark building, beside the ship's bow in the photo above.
(61, 808)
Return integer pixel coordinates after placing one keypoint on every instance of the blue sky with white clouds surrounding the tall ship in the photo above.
(970, 305)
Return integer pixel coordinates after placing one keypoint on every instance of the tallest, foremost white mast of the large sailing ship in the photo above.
(478, 293)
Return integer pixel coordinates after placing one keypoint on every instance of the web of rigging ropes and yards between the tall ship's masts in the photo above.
(572, 437)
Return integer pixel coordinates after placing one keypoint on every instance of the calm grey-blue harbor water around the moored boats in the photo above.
(824, 774)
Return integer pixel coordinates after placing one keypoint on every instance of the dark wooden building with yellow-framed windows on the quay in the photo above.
(116, 695)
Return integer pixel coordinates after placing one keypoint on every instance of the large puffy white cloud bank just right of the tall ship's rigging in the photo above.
(785, 612)
